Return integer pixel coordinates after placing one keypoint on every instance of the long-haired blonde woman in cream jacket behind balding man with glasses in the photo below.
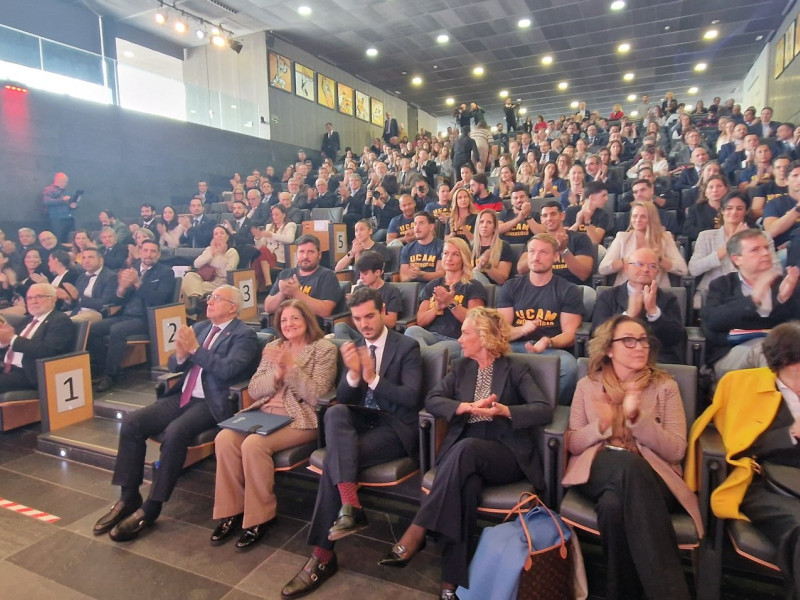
(645, 231)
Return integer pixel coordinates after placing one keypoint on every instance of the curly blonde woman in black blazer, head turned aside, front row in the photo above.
(493, 406)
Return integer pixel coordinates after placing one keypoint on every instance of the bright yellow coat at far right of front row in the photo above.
(744, 406)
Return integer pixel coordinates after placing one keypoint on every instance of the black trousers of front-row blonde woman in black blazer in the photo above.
(451, 508)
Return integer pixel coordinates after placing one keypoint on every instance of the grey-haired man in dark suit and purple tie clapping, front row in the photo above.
(212, 355)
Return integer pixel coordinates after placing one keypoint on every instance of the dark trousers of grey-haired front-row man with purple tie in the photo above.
(179, 425)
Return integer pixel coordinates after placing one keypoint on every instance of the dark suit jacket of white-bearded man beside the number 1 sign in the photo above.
(55, 335)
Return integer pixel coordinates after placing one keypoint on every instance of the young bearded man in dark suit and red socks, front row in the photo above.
(374, 421)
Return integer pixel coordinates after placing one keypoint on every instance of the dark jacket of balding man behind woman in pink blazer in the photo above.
(668, 328)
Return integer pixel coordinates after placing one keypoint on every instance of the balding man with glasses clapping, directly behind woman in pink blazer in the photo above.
(641, 298)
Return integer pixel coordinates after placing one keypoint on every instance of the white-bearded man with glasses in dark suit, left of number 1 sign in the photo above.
(46, 332)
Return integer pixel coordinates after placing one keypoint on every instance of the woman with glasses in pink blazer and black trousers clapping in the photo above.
(626, 438)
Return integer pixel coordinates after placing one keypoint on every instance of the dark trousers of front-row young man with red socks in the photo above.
(355, 439)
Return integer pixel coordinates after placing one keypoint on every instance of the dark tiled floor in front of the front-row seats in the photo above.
(174, 560)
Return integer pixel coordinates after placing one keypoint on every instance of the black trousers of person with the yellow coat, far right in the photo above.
(778, 518)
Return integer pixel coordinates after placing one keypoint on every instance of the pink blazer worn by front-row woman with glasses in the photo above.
(659, 434)
